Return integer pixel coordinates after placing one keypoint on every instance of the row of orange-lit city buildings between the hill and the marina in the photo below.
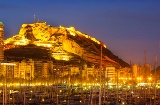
(30, 69)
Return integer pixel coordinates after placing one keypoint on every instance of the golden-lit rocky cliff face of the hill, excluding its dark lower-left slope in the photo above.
(64, 43)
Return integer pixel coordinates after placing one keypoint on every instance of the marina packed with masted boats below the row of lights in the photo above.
(62, 94)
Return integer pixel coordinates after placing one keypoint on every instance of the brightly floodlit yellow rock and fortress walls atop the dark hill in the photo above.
(43, 35)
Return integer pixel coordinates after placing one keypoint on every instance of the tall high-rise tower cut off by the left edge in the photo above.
(1, 41)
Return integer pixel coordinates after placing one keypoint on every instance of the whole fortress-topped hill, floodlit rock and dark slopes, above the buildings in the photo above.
(42, 41)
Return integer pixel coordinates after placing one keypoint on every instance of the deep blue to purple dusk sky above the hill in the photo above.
(127, 27)
